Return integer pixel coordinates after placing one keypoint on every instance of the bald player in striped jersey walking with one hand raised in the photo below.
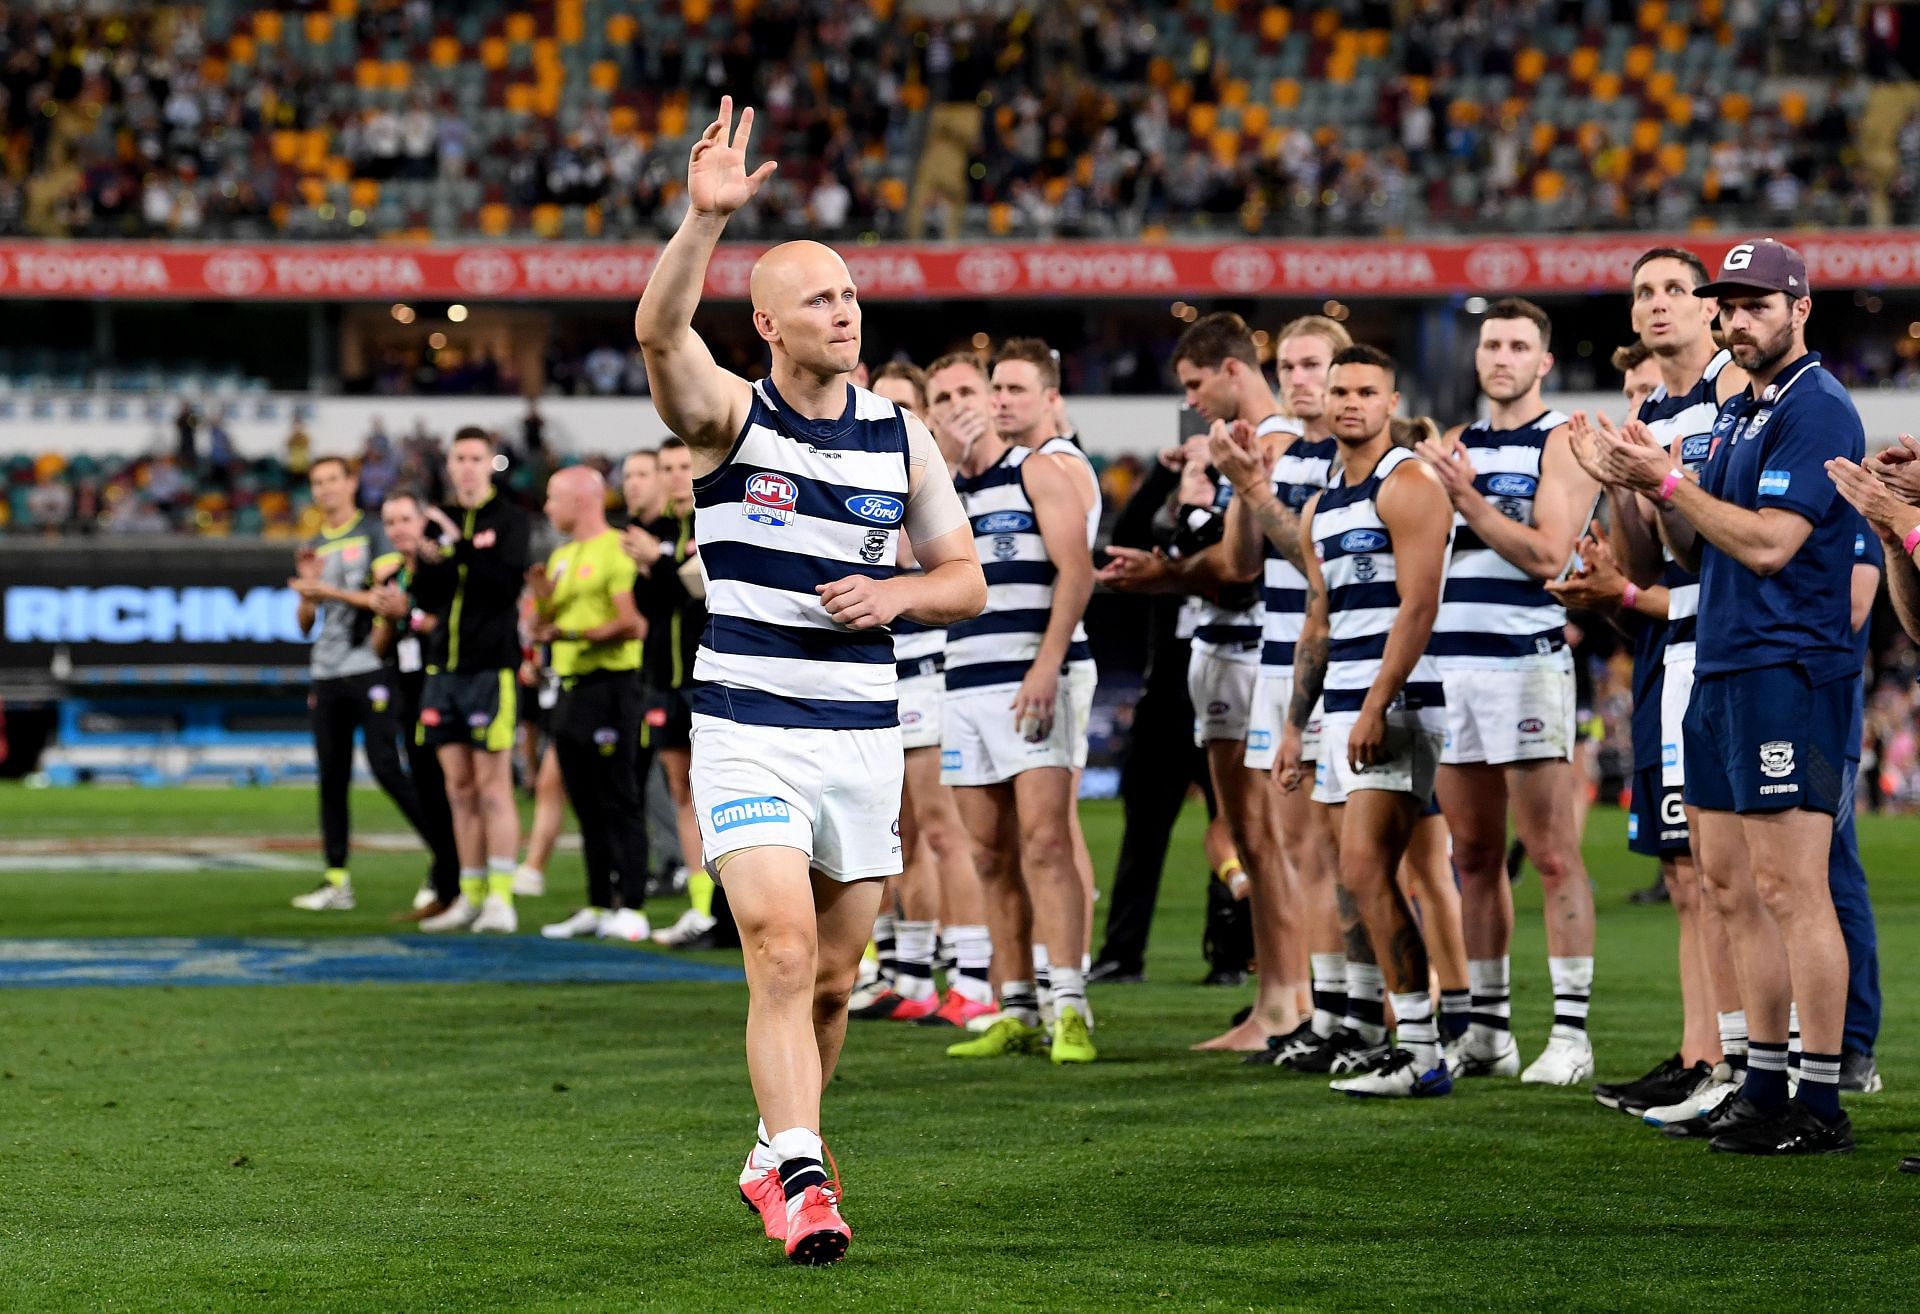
(804, 485)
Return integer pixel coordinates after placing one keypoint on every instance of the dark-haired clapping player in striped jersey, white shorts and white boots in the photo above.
(1520, 504)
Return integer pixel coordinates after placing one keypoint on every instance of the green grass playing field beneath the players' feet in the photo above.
(573, 1148)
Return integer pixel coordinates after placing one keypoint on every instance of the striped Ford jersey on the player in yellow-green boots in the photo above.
(997, 648)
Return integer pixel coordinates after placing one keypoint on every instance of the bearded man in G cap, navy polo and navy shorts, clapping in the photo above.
(1775, 687)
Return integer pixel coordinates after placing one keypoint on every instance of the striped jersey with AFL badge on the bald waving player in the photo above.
(800, 504)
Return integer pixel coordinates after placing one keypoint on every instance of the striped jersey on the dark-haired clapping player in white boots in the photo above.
(1493, 610)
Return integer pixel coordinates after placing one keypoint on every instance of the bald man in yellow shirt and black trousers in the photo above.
(585, 610)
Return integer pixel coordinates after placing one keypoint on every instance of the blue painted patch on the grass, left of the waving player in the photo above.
(337, 960)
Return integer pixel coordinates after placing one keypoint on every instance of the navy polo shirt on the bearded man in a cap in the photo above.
(1773, 452)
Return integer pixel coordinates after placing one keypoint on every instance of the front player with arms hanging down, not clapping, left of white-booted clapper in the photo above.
(1380, 547)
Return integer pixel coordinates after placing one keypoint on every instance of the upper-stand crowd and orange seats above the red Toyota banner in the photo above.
(1124, 116)
